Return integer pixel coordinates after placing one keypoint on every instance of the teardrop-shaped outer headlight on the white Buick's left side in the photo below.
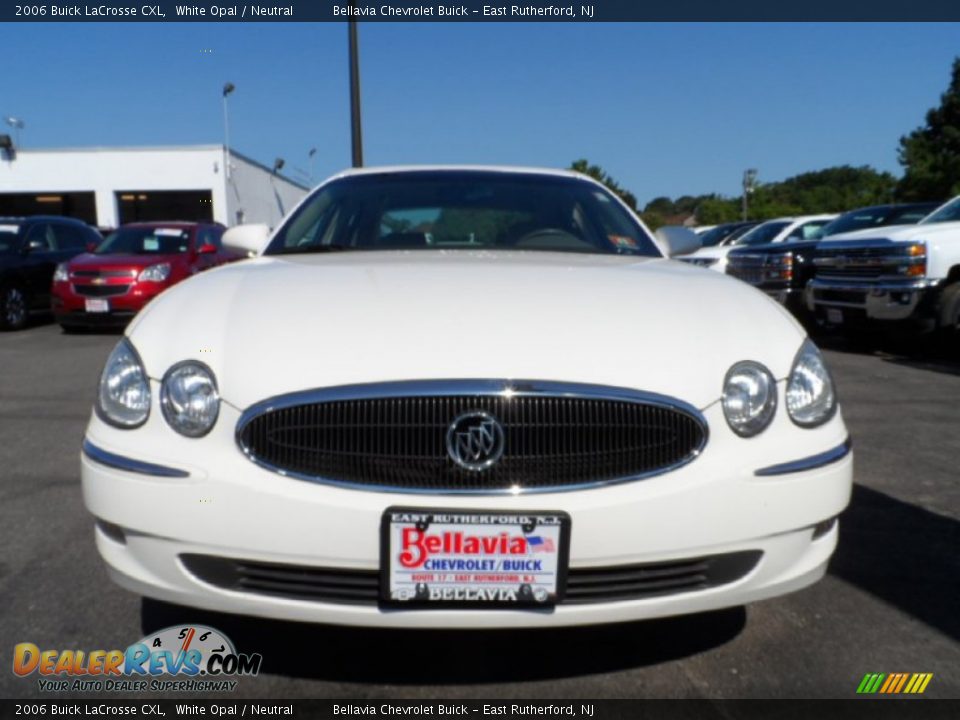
(123, 399)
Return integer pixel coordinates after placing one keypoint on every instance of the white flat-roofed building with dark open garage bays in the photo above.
(111, 186)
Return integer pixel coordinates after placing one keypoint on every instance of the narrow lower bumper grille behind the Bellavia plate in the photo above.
(616, 583)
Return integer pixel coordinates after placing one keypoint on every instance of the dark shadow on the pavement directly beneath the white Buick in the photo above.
(441, 657)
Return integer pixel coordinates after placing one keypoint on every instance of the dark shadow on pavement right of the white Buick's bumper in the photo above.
(903, 555)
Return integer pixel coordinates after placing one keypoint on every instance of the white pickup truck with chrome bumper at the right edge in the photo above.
(906, 273)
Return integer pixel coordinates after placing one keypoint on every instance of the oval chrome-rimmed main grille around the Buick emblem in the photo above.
(393, 436)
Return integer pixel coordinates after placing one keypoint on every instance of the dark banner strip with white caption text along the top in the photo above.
(160, 11)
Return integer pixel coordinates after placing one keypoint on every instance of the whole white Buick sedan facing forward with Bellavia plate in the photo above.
(464, 397)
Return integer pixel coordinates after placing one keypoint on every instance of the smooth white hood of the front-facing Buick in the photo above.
(275, 325)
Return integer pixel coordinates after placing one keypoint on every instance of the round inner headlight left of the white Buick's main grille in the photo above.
(189, 398)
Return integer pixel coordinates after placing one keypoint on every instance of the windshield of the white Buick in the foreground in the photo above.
(462, 210)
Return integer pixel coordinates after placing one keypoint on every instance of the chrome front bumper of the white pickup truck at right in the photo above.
(874, 301)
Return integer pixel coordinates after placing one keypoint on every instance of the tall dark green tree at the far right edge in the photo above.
(930, 154)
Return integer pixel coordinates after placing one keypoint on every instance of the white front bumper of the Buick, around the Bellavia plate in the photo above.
(224, 506)
